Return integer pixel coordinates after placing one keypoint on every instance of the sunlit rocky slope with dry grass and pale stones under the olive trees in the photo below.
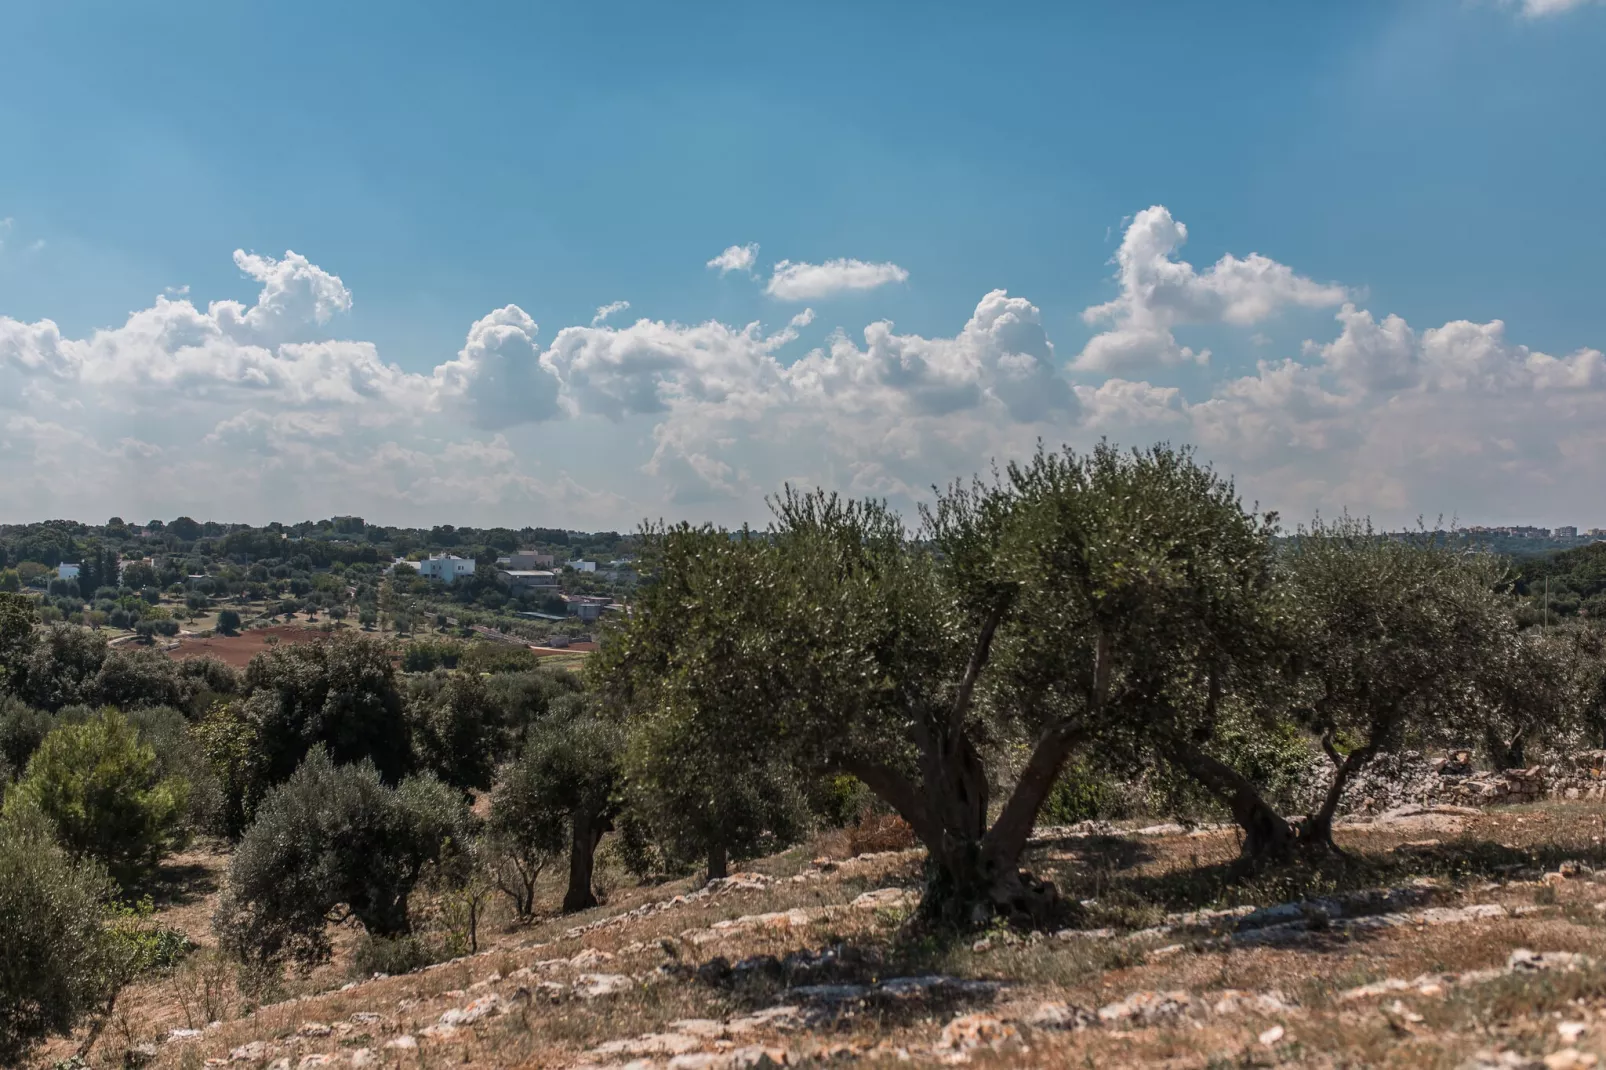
(1446, 937)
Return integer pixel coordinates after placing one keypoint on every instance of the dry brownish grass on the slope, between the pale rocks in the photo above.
(1496, 859)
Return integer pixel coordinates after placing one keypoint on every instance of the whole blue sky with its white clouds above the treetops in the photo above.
(582, 266)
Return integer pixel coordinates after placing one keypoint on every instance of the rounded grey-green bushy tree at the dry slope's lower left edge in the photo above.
(328, 843)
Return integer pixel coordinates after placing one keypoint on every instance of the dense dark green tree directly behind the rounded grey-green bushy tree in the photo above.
(338, 693)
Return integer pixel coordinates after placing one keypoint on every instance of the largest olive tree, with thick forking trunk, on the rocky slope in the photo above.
(1072, 598)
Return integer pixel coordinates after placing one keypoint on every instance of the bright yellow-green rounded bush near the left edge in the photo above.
(105, 794)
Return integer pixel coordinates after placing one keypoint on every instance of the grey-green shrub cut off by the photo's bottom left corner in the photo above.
(51, 913)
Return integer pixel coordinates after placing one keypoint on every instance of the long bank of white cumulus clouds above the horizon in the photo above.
(263, 410)
